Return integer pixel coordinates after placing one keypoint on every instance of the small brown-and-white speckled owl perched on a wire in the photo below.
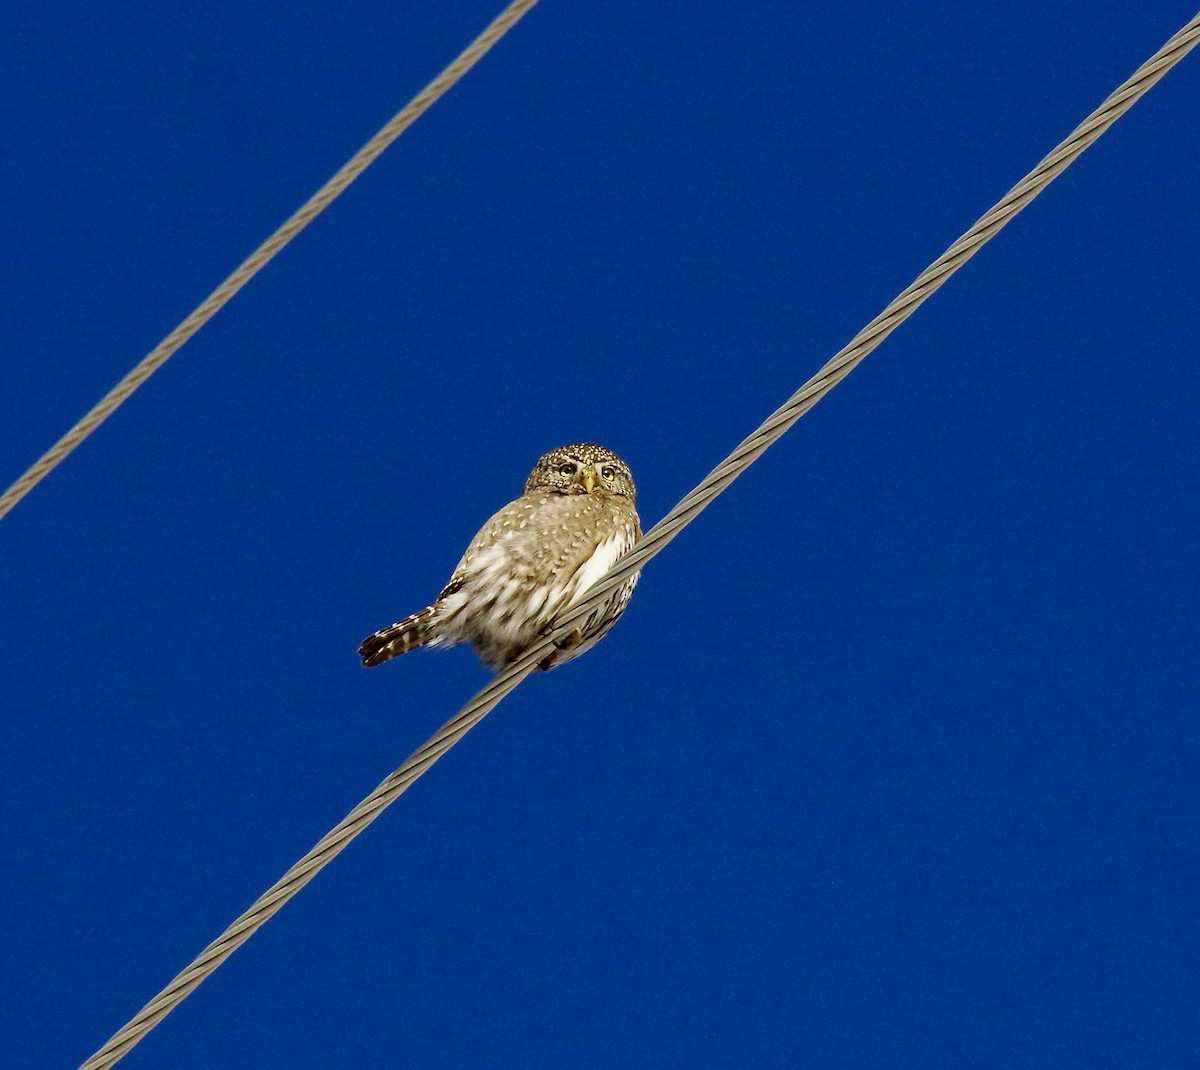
(532, 561)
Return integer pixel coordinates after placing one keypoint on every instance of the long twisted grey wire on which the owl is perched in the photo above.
(833, 372)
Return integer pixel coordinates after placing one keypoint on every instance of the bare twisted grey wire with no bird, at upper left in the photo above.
(263, 255)
